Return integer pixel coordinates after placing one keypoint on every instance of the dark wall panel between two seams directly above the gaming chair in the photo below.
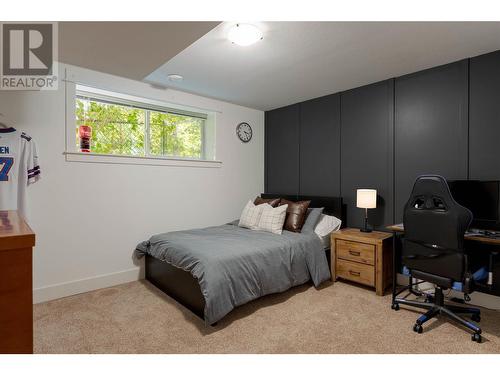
(430, 127)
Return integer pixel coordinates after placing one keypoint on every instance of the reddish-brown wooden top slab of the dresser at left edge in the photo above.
(14, 232)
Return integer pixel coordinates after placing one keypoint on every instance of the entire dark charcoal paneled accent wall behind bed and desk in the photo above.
(443, 120)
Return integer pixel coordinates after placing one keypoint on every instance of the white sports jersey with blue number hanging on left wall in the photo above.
(18, 168)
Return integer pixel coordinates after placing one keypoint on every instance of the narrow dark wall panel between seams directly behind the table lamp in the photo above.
(367, 138)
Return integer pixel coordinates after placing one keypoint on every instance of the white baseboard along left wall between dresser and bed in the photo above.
(55, 291)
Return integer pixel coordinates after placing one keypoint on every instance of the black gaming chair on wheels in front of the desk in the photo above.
(433, 251)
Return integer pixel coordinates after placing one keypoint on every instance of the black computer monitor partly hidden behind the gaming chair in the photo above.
(482, 198)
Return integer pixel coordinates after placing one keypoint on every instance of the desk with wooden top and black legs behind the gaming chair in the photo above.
(482, 246)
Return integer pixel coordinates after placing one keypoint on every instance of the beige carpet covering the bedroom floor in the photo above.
(338, 318)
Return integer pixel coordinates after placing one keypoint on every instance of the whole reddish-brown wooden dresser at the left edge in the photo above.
(16, 284)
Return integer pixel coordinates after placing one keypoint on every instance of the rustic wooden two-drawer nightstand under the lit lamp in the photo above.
(364, 258)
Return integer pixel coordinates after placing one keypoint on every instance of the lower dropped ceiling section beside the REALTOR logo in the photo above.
(127, 49)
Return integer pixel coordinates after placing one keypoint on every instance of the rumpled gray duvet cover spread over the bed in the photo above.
(235, 265)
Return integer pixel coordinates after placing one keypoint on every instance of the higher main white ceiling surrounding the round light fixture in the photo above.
(297, 61)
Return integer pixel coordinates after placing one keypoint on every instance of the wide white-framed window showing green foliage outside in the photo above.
(112, 124)
